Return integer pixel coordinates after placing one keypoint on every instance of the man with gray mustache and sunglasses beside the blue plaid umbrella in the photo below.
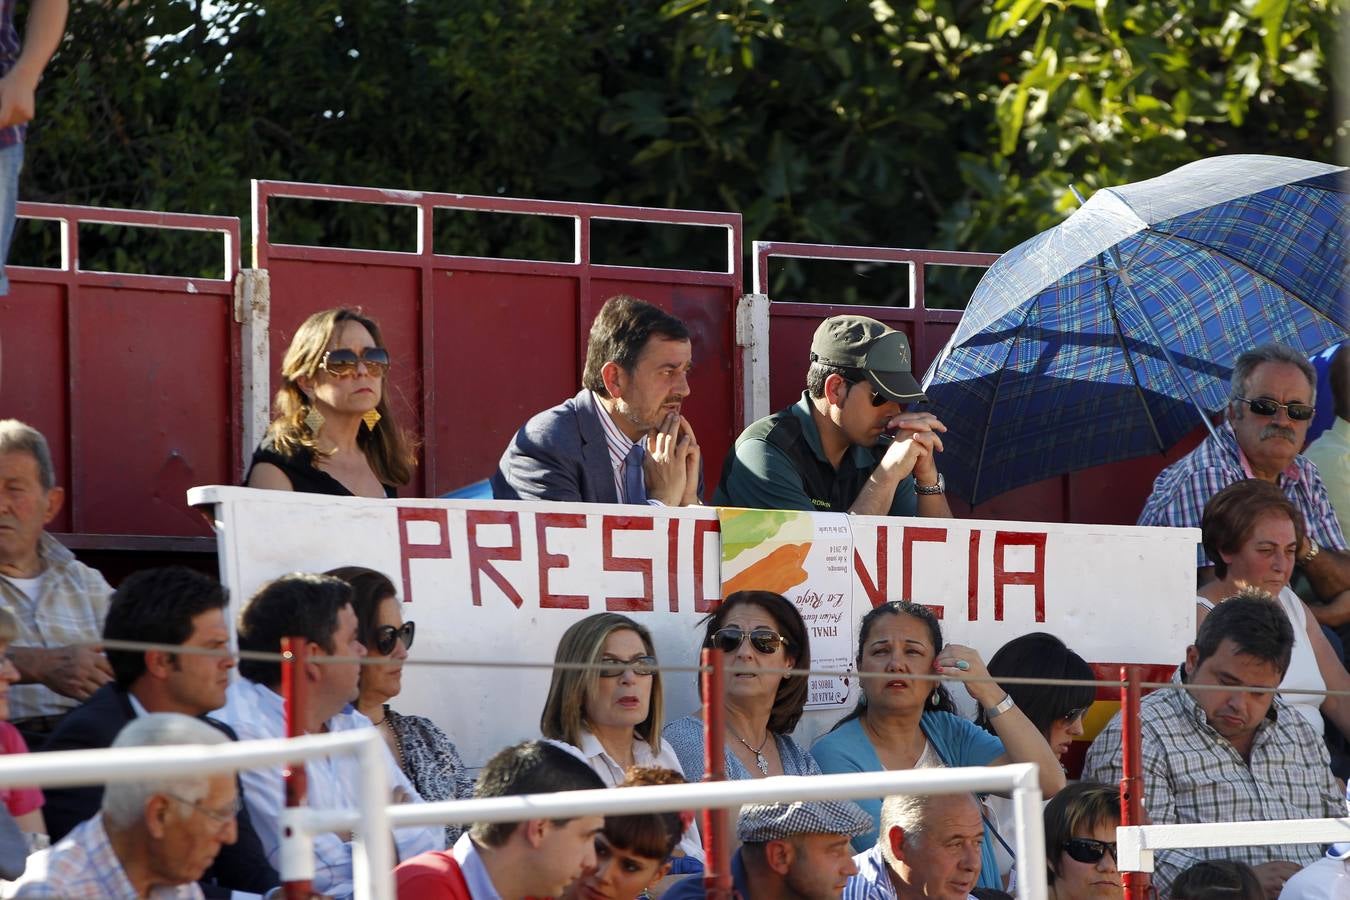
(1274, 396)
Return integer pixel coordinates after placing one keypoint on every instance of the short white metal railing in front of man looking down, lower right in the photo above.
(1137, 843)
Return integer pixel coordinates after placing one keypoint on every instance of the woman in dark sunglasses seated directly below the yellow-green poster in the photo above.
(757, 632)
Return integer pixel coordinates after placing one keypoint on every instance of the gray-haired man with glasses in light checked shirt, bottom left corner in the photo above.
(152, 839)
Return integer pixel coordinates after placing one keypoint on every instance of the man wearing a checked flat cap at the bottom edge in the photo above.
(790, 852)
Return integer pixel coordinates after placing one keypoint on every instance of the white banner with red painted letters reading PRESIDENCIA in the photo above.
(502, 581)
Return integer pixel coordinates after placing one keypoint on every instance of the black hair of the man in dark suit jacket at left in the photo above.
(156, 607)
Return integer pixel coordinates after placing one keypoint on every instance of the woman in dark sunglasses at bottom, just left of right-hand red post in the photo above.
(1081, 824)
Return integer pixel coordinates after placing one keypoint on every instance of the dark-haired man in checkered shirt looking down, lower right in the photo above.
(1229, 755)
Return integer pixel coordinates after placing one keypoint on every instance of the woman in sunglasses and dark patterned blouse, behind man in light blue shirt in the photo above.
(425, 752)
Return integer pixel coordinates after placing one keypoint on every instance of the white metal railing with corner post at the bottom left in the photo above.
(372, 853)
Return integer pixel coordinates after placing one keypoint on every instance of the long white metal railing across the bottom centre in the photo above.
(1023, 779)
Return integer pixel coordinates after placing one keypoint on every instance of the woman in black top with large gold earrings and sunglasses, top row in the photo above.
(334, 432)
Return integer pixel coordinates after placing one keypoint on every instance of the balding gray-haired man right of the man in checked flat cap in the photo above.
(929, 847)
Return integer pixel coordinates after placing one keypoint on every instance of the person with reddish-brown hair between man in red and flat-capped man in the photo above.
(632, 853)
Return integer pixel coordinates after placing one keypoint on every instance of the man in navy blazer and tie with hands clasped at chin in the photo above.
(622, 439)
